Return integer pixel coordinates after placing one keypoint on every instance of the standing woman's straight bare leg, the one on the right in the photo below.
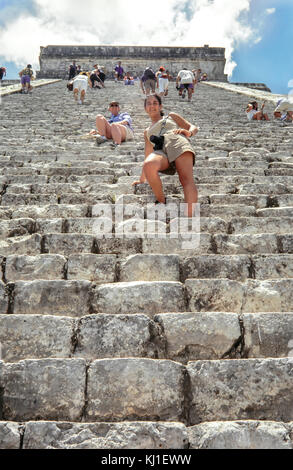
(184, 166)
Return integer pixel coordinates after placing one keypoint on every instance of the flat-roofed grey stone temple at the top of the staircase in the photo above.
(55, 60)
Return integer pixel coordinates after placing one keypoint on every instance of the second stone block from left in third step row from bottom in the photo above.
(100, 336)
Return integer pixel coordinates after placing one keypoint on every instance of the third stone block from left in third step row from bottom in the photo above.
(193, 336)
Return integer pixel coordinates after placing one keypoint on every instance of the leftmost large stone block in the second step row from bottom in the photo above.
(51, 389)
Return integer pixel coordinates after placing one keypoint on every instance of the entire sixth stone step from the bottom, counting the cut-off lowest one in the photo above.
(188, 244)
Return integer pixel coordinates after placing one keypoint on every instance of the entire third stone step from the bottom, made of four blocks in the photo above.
(180, 337)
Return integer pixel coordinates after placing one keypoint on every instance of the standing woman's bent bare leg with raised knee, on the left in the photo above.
(152, 165)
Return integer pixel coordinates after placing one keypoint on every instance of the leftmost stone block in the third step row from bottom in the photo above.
(35, 337)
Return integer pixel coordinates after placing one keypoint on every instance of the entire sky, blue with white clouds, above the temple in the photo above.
(257, 34)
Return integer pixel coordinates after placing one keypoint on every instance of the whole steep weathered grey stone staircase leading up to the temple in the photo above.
(136, 342)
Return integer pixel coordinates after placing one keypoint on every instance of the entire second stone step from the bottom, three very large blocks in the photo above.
(54, 389)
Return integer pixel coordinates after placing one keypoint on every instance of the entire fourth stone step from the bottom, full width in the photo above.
(81, 297)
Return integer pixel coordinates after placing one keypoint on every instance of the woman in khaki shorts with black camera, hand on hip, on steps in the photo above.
(174, 154)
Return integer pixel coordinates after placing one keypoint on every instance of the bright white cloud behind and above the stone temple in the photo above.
(213, 22)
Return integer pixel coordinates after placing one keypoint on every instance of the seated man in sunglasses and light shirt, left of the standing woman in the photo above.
(118, 128)
